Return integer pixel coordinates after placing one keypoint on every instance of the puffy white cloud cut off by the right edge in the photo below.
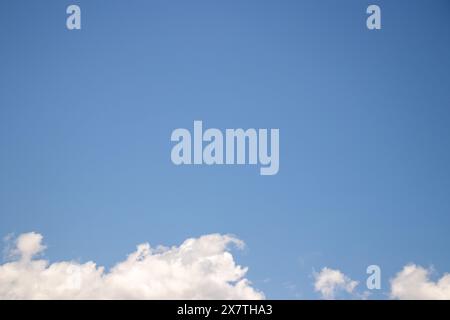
(413, 282)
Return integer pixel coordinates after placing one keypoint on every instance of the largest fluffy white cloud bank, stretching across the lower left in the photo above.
(200, 268)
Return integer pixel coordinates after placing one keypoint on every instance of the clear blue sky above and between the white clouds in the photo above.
(86, 118)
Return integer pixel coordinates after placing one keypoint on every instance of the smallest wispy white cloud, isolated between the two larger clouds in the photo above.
(328, 282)
